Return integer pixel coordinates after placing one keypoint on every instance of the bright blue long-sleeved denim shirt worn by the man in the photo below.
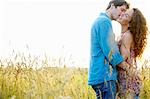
(105, 55)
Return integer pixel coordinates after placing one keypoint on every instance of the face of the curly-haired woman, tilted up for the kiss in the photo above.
(125, 18)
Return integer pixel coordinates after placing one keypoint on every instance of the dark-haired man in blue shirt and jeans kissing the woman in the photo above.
(105, 55)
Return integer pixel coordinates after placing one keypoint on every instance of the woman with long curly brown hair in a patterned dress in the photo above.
(131, 44)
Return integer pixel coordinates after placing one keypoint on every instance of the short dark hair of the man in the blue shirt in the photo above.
(118, 3)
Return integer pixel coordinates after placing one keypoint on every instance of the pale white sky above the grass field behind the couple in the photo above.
(55, 27)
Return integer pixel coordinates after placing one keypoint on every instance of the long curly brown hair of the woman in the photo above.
(139, 30)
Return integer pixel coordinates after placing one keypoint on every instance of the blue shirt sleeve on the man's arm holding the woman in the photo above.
(106, 39)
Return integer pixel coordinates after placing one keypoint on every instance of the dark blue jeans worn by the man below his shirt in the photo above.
(106, 90)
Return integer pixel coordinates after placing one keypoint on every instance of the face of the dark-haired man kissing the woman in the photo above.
(116, 12)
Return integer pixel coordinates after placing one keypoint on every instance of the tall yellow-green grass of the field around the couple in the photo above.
(20, 78)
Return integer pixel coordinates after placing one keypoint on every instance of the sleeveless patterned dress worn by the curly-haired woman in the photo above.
(129, 83)
